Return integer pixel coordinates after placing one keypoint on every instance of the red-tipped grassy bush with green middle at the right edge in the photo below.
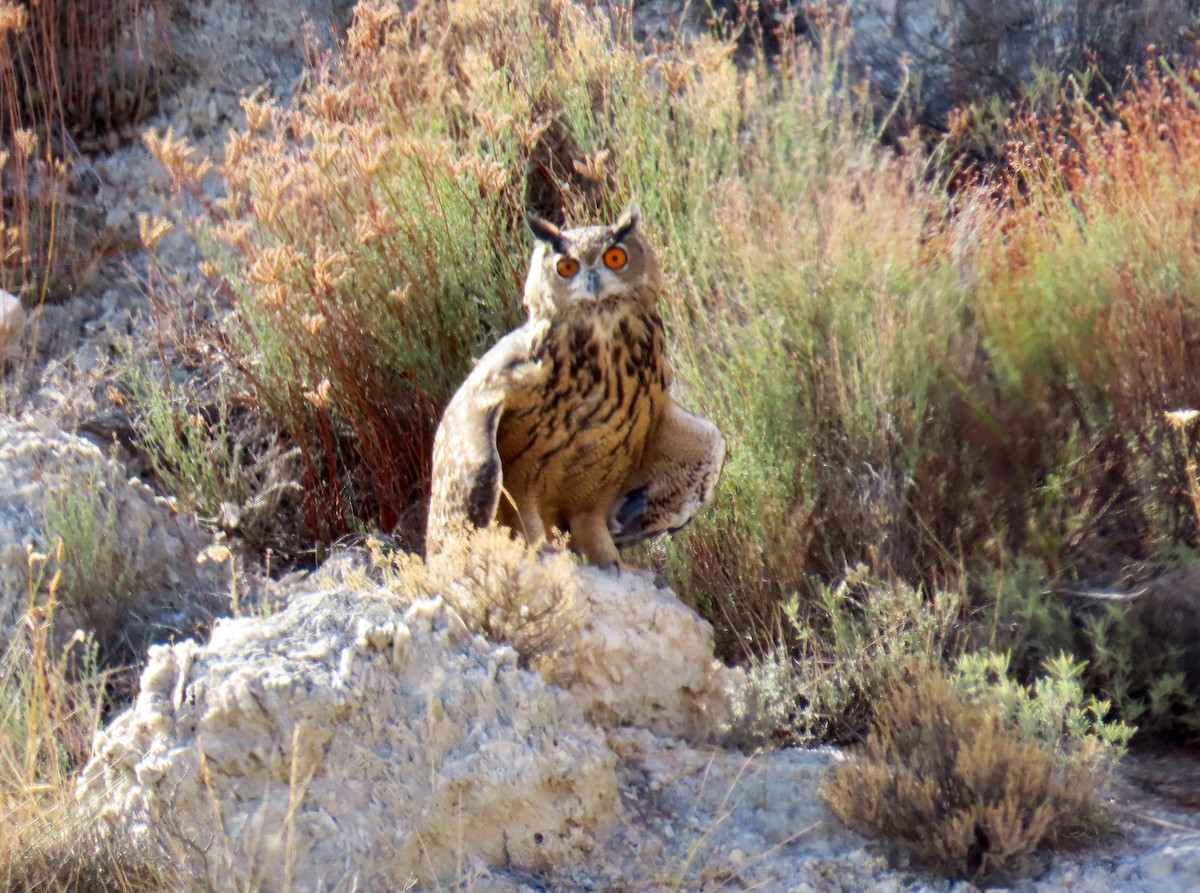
(1093, 316)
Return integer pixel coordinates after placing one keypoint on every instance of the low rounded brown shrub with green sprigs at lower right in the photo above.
(970, 772)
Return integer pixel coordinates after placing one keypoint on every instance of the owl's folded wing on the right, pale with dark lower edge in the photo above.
(675, 481)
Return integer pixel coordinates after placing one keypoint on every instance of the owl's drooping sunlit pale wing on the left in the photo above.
(467, 474)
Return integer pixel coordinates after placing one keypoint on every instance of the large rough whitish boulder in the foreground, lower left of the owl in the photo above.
(351, 744)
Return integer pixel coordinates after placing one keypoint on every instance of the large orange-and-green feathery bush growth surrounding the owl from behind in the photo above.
(371, 244)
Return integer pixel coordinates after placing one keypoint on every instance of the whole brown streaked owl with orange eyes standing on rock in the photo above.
(568, 422)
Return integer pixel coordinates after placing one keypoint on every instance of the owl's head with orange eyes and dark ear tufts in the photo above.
(587, 266)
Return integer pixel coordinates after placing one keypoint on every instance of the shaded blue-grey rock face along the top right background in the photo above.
(939, 55)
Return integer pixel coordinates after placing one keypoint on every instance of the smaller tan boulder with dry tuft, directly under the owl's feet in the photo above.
(628, 651)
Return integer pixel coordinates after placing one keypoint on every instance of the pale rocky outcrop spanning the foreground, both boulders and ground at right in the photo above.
(358, 740)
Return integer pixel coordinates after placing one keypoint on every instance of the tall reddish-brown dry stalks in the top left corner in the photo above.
(74, 76)
